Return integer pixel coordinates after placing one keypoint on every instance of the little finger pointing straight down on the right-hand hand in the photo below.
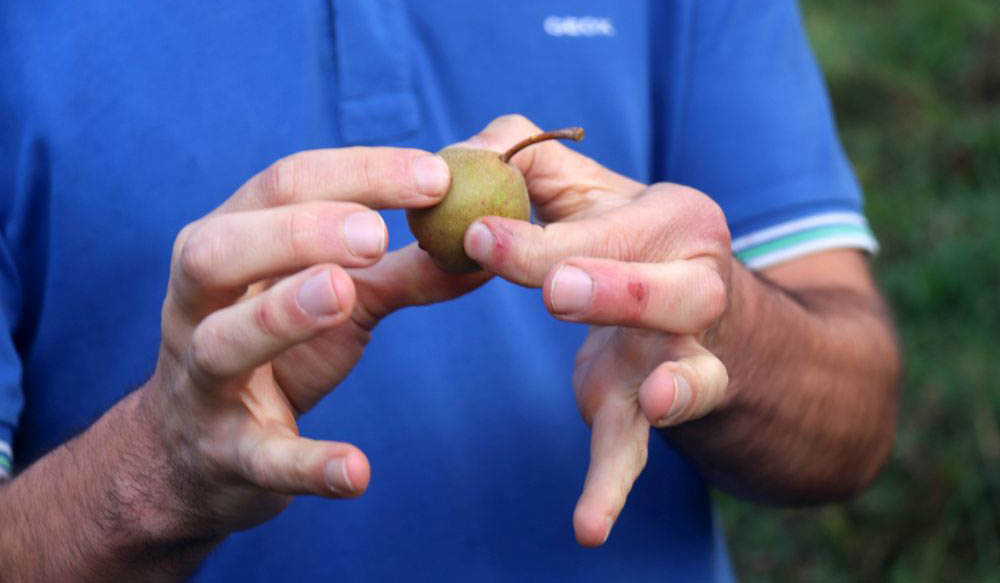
(618, 450)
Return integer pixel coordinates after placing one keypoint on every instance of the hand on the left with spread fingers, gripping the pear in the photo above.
(270, 303)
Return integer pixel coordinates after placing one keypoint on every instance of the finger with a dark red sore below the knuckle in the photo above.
(681, 297)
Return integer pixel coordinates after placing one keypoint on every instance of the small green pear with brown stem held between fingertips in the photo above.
(483, 183)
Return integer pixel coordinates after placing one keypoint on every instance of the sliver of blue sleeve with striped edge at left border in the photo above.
(11, 396)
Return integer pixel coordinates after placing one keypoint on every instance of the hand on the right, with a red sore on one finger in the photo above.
(649, 268)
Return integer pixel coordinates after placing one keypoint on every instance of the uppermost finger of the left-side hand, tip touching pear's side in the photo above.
(374, 177)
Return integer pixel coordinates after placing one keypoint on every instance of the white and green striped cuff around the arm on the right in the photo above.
(800, 237)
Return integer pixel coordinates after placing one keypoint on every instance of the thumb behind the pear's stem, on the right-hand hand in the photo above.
(561, 182)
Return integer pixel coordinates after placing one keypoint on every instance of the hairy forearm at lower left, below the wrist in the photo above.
(99, 508)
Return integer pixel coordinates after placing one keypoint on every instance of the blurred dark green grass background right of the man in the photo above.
(916, 89)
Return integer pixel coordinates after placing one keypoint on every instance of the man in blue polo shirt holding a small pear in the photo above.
(132, 131)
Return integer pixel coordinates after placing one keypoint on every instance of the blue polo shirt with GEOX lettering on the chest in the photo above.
(120, 122)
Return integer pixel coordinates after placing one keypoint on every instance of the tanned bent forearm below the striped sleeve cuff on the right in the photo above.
(810, 410)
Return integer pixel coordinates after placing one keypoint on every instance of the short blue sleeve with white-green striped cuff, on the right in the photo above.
(750, 124)
